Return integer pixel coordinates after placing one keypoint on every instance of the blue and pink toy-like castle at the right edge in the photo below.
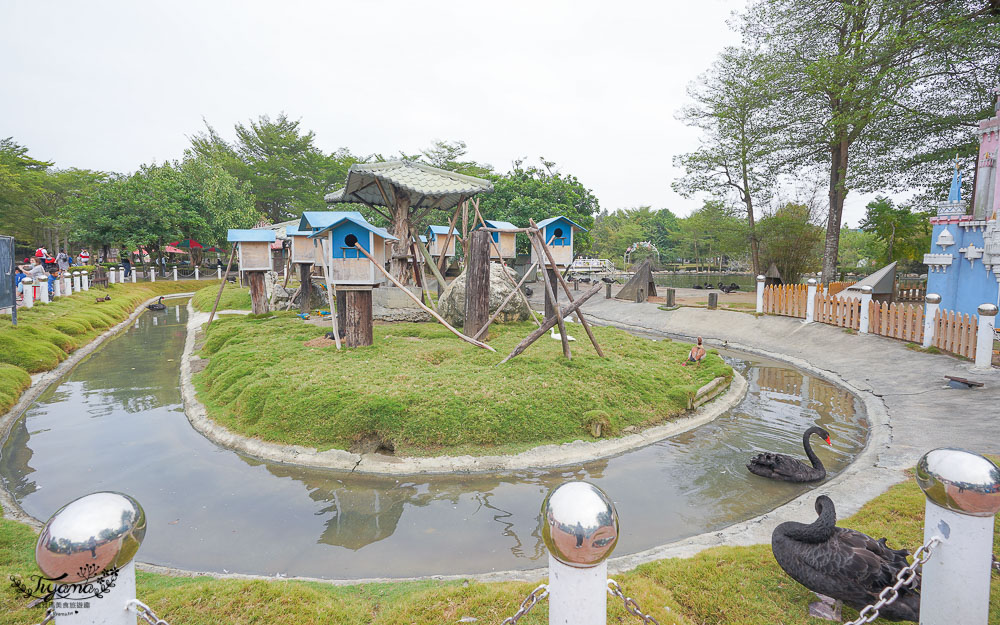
(963, 266)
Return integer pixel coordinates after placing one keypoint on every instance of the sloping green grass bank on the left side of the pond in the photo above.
(47, 333)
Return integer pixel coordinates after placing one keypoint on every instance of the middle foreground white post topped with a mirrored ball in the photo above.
(580, 530)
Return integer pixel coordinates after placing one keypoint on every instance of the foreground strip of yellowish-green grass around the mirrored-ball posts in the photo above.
(720, 586)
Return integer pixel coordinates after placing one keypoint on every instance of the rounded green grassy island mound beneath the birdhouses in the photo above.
(429, 393)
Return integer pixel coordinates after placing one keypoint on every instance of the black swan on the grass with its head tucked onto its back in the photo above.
(843, 564)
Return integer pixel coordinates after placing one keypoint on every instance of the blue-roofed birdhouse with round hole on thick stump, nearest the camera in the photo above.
(348, 266)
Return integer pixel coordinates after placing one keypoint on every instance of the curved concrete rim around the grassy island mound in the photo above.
(710, 403)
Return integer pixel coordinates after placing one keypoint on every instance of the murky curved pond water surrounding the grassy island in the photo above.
(115, 422)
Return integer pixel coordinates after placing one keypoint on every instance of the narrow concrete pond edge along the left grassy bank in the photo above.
(41, 381)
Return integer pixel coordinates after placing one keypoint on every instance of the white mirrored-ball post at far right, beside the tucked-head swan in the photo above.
(963, 495)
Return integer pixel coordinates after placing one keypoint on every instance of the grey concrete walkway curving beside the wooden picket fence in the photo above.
(924, 413)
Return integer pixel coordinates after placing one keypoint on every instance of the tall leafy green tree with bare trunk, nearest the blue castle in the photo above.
(861, 83)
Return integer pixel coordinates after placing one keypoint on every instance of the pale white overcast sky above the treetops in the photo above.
(593, 86)
